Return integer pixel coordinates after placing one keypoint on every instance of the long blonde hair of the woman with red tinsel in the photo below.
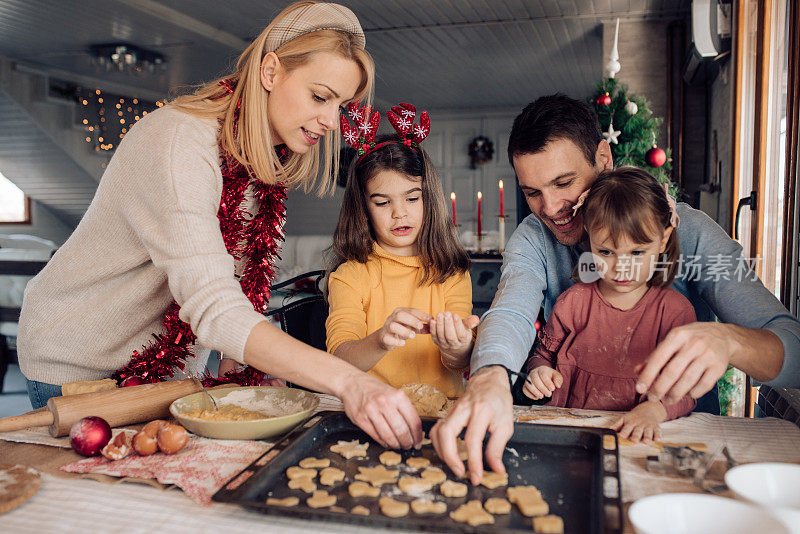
(247, 139)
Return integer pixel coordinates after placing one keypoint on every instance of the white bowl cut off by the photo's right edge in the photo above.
(771, 484)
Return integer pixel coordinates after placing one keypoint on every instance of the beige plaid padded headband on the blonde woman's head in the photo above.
(312, 18)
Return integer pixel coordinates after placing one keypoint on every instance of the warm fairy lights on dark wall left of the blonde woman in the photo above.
(107, 117)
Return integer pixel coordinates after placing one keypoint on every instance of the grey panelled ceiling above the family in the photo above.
(443, 54)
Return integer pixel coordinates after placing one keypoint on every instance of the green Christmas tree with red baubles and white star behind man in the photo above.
(631, 130)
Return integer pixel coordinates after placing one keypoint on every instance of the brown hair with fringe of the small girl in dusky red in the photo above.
(628, 201)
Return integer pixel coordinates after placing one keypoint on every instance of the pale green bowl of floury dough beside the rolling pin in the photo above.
(282, 408)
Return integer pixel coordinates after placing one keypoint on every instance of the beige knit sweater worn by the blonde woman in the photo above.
(150, 235)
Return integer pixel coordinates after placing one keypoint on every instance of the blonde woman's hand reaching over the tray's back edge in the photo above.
(385, 413)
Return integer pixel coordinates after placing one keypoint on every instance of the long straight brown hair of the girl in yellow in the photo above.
(441, 253)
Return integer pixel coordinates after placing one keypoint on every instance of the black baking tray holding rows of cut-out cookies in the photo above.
(574, 471)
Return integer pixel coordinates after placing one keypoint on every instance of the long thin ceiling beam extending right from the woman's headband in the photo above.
(599, 17)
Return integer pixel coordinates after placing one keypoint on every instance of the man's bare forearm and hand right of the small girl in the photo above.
(692, 357)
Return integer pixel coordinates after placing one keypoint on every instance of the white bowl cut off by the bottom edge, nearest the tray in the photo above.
(693, 513)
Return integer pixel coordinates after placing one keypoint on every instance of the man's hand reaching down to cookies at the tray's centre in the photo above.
(485, 407)
